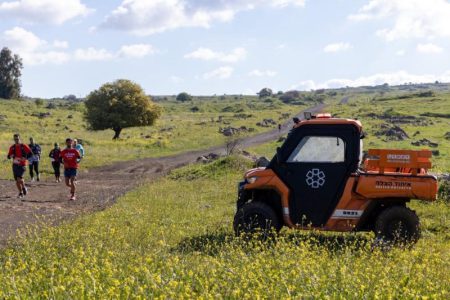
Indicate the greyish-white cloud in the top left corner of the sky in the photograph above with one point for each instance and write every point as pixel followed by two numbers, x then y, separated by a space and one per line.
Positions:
pixel 43 11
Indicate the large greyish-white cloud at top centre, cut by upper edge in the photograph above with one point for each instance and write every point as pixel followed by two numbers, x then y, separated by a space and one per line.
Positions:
pixel 144 17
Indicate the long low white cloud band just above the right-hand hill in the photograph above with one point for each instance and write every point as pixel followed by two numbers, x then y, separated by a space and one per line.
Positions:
pixel 395 78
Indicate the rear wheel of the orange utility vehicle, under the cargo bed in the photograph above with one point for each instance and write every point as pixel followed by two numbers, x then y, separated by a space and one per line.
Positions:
pixel 398 225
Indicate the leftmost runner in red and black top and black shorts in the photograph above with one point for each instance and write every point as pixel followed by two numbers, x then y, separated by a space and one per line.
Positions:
pixel 19 153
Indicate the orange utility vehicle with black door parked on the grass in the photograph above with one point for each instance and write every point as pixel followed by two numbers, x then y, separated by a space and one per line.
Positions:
pixel 317 181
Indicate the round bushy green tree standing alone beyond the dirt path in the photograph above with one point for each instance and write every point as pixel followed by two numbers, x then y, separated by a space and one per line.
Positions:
pixel 118 105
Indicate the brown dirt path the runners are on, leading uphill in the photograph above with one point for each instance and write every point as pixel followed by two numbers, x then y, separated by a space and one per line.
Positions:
pixel 100 187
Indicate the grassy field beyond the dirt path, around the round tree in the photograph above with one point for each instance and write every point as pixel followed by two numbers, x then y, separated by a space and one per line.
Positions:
pixel 178 130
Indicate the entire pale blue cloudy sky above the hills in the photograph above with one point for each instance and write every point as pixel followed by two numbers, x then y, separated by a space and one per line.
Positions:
pixel 225 46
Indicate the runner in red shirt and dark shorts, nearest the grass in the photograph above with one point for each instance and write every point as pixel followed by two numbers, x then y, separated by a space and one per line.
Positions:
pixel 69 157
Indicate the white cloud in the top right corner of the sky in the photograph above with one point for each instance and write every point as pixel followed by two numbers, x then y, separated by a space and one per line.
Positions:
pixel 412 18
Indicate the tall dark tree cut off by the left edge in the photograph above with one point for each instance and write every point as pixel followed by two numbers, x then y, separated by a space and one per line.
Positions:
pixel 10 72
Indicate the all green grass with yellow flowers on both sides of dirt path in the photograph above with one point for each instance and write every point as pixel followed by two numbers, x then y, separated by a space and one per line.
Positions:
pixel 173 238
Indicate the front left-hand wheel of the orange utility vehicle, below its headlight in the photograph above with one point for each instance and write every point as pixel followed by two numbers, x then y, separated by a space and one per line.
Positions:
pixel 256 218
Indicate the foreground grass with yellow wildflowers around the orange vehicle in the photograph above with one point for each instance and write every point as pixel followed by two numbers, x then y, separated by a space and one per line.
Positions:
pixel 173 239
